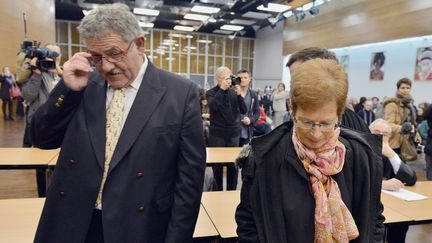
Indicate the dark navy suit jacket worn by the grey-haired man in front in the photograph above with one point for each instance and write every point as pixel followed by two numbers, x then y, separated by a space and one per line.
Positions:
pixel 153 189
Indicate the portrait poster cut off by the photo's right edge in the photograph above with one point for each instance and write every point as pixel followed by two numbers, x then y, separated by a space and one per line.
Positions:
pixel 423 68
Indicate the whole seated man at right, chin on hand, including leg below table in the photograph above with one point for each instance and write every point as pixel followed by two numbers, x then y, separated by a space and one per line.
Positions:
pixel 396 174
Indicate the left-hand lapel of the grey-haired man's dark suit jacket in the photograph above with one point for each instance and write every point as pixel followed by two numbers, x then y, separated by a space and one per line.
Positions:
pixel 95 107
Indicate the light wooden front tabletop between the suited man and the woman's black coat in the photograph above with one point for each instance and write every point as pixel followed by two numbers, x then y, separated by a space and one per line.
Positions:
pixel 221 207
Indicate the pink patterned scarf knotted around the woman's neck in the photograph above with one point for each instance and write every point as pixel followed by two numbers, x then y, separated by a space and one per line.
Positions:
pixel 333 220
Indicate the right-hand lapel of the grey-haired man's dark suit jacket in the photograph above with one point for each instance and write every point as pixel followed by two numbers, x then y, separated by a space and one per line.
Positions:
pixel 147 99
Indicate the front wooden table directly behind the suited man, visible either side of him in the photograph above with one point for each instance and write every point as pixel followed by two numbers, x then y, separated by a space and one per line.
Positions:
pixel 19 219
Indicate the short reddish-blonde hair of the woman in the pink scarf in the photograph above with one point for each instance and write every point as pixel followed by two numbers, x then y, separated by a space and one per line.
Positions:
pixel 318 81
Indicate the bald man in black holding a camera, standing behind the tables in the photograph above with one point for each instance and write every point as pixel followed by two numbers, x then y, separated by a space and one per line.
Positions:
pixel 226 104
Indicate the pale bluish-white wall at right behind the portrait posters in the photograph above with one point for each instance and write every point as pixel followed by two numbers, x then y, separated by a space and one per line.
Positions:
pixel 400 62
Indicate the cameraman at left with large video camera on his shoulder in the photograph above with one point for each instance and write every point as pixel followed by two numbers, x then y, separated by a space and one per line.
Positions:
pixel 45 67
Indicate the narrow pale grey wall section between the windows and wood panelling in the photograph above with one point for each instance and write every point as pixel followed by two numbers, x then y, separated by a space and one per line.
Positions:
pixel 268 56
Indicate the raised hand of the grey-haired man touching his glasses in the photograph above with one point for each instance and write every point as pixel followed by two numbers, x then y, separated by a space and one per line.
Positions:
pixel 76 71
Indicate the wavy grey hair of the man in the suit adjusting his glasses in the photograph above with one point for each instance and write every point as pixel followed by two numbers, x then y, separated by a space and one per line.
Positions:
pixel 110 18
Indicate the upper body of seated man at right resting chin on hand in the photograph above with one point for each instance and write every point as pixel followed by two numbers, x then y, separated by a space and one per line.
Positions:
pixel 395 172
